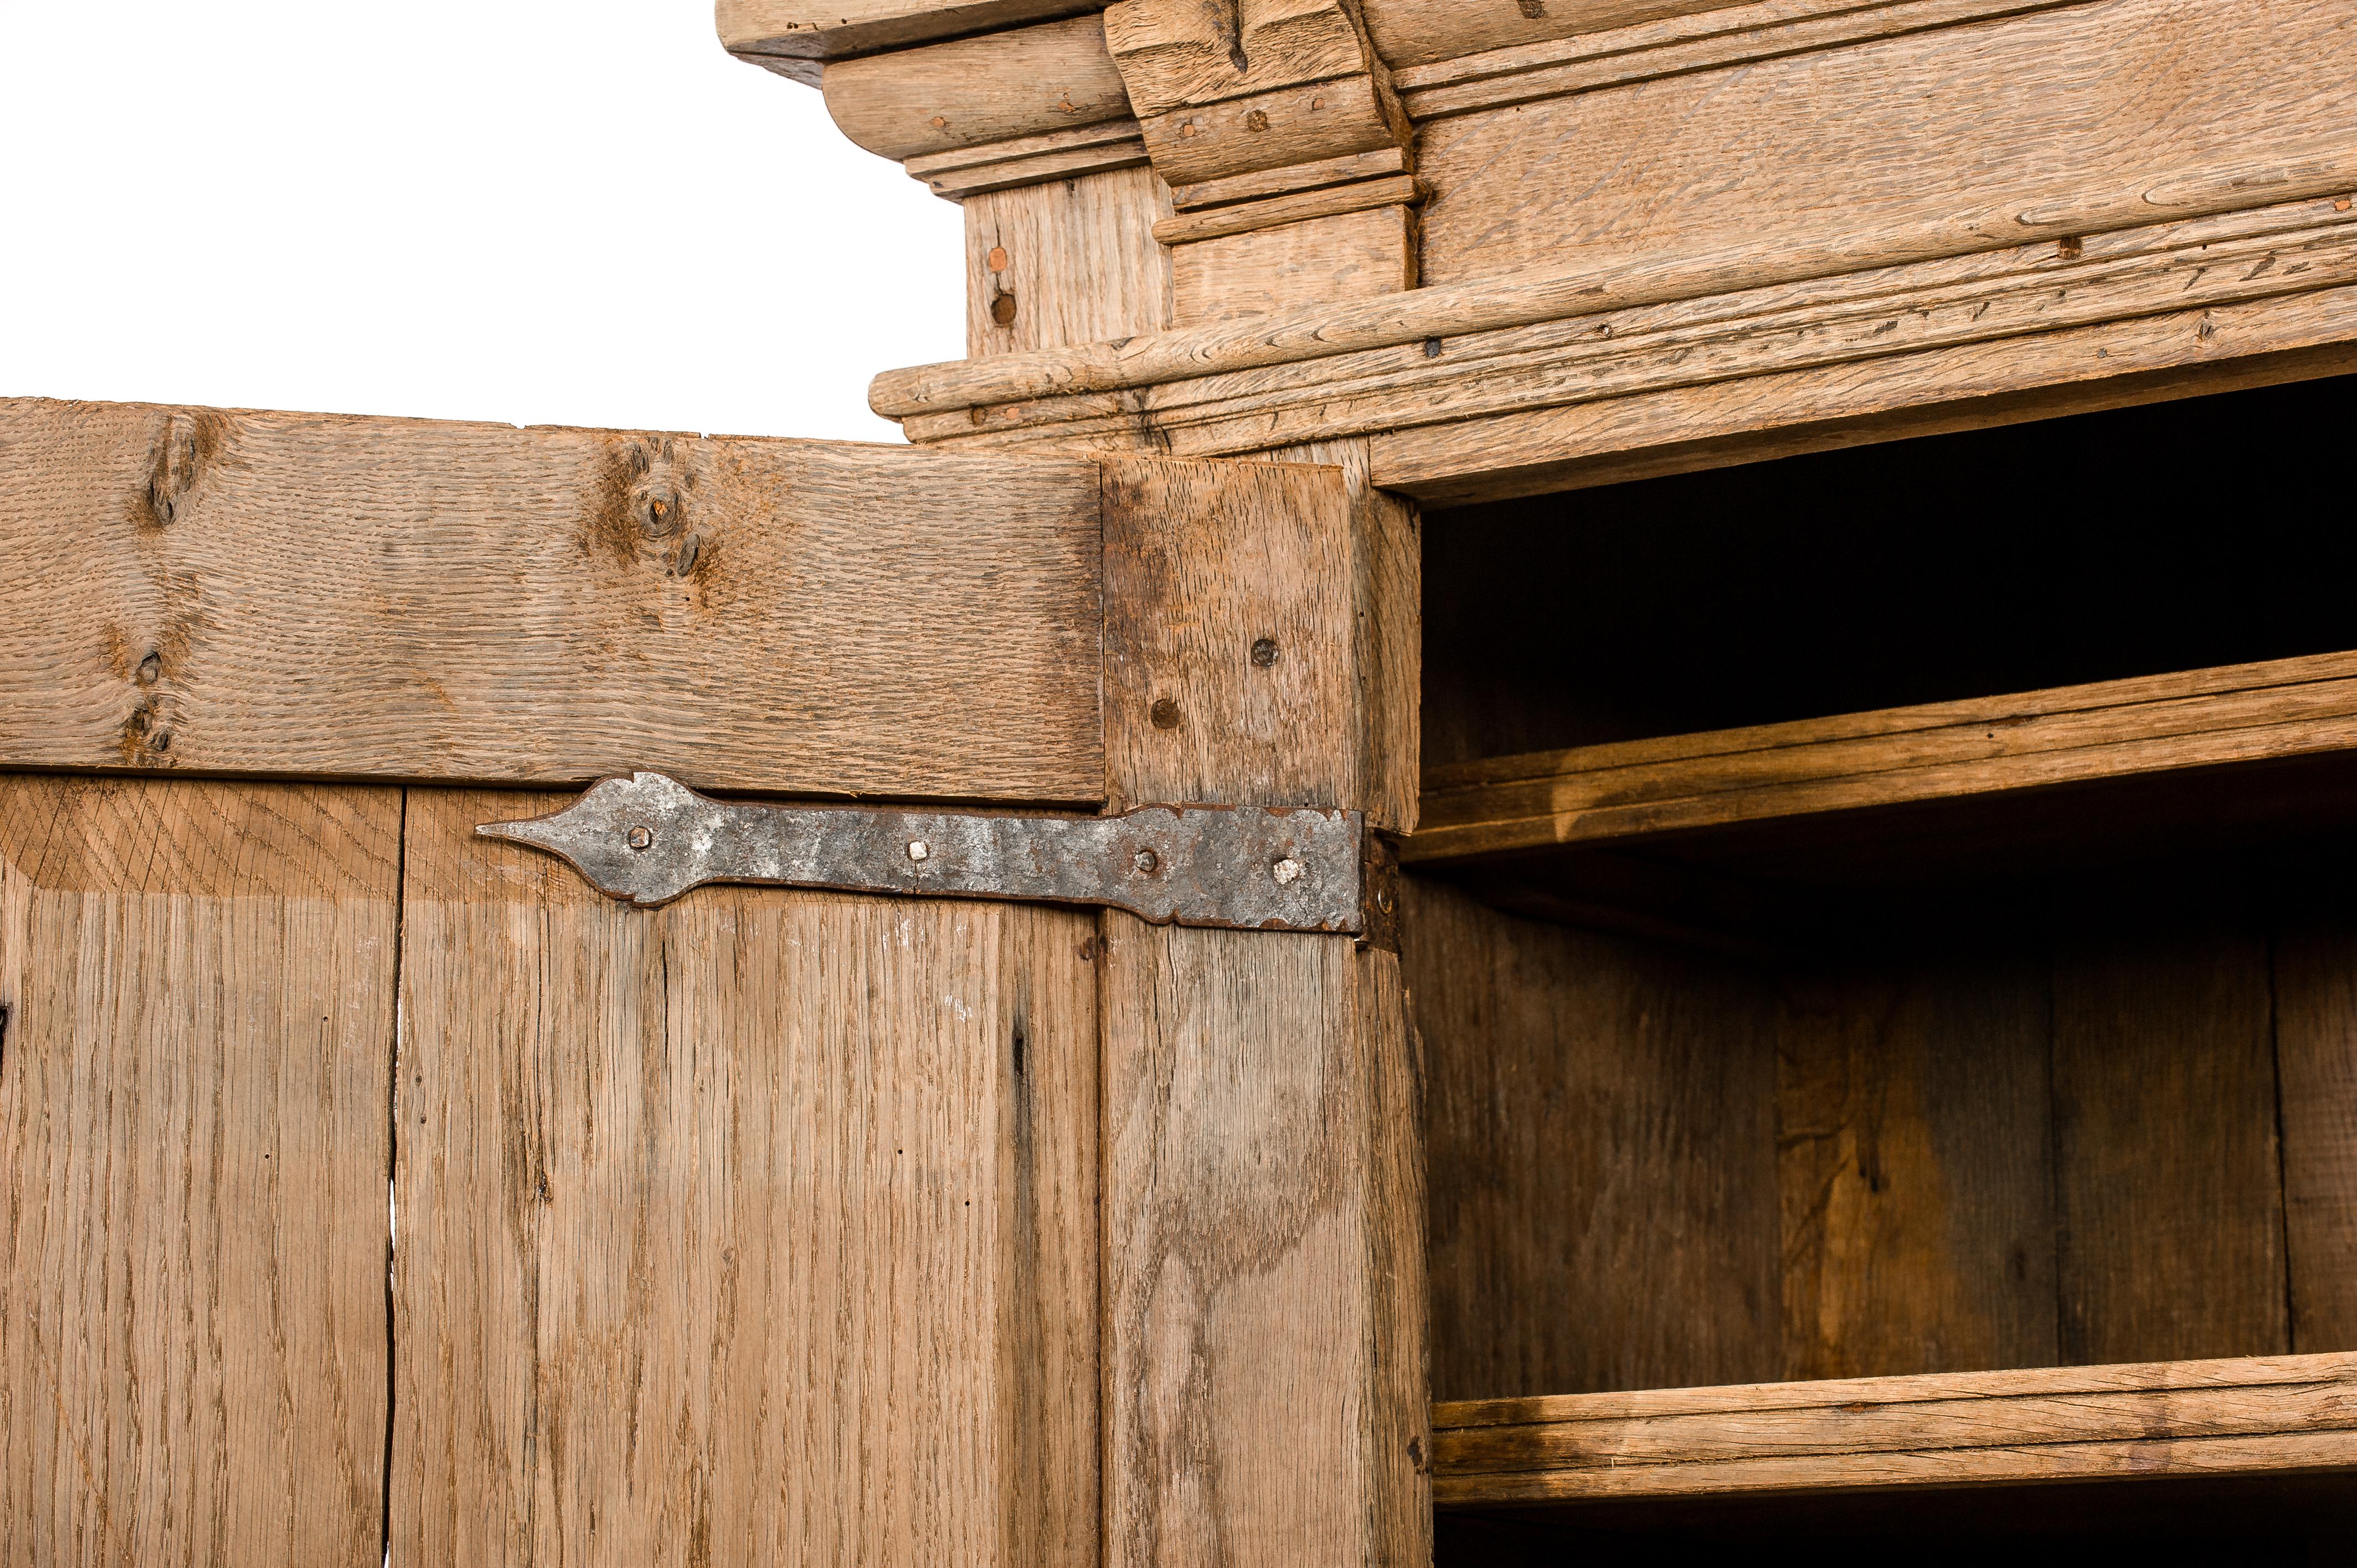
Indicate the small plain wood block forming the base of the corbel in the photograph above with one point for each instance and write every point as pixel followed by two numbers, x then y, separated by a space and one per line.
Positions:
pixel 1274 270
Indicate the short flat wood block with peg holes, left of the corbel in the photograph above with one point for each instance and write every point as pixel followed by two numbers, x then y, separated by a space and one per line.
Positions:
pixel 1064 263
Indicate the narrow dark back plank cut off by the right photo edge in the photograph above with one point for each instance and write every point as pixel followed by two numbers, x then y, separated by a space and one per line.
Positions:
pixel 2316 1055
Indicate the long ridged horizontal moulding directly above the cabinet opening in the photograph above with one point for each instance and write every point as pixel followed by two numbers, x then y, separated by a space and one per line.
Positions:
pixel 1514 376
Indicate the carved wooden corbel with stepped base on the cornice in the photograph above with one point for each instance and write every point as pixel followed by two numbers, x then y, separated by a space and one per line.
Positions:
pixel 1286 150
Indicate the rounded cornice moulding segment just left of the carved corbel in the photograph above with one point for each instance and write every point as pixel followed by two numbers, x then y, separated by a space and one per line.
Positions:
pixel 975 91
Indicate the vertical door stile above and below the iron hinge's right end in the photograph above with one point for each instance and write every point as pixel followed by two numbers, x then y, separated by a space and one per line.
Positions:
pixel 1265 1211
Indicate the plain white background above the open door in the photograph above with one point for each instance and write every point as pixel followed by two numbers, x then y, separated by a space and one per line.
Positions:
pixel 522 211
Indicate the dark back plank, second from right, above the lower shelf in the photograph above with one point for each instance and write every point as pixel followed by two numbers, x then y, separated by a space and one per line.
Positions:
pixel 2167 1173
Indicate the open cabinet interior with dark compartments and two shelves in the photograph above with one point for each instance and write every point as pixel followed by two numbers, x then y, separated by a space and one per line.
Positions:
pixel 1887 914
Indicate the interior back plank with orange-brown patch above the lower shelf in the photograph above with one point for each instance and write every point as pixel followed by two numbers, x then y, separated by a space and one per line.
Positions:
pixel 1917 1171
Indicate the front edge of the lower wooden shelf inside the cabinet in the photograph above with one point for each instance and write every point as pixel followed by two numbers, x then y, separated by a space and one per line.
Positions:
pixel 2181 1418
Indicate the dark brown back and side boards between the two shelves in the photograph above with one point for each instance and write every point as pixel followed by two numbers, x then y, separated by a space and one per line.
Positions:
pixel 2038 1133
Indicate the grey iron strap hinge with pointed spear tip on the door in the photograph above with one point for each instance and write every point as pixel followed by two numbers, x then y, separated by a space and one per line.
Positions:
pixel 652 841
